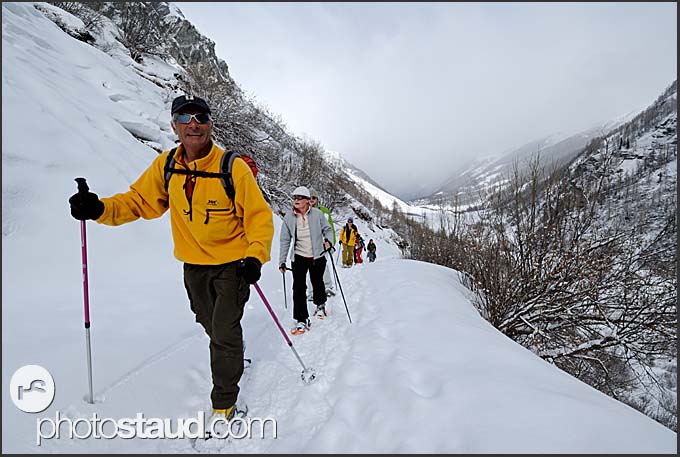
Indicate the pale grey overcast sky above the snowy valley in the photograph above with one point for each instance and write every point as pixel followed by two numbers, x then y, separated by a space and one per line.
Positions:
pixel 387 84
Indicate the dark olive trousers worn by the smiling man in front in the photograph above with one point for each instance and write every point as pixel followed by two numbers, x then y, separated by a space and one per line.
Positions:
pixel 218 296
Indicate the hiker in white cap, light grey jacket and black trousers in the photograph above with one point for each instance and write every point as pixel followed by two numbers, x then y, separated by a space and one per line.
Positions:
pixel 308 231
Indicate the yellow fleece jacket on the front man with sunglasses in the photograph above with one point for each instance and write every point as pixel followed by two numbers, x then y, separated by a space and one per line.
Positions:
pixel 210 234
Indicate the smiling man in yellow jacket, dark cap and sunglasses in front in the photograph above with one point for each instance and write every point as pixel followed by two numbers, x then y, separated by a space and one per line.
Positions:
pixel 223 243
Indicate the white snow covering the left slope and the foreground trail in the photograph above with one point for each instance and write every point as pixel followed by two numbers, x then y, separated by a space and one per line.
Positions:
pixel 418 370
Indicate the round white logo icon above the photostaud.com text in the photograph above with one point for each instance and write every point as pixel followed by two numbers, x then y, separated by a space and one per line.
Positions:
pixel 32 388
